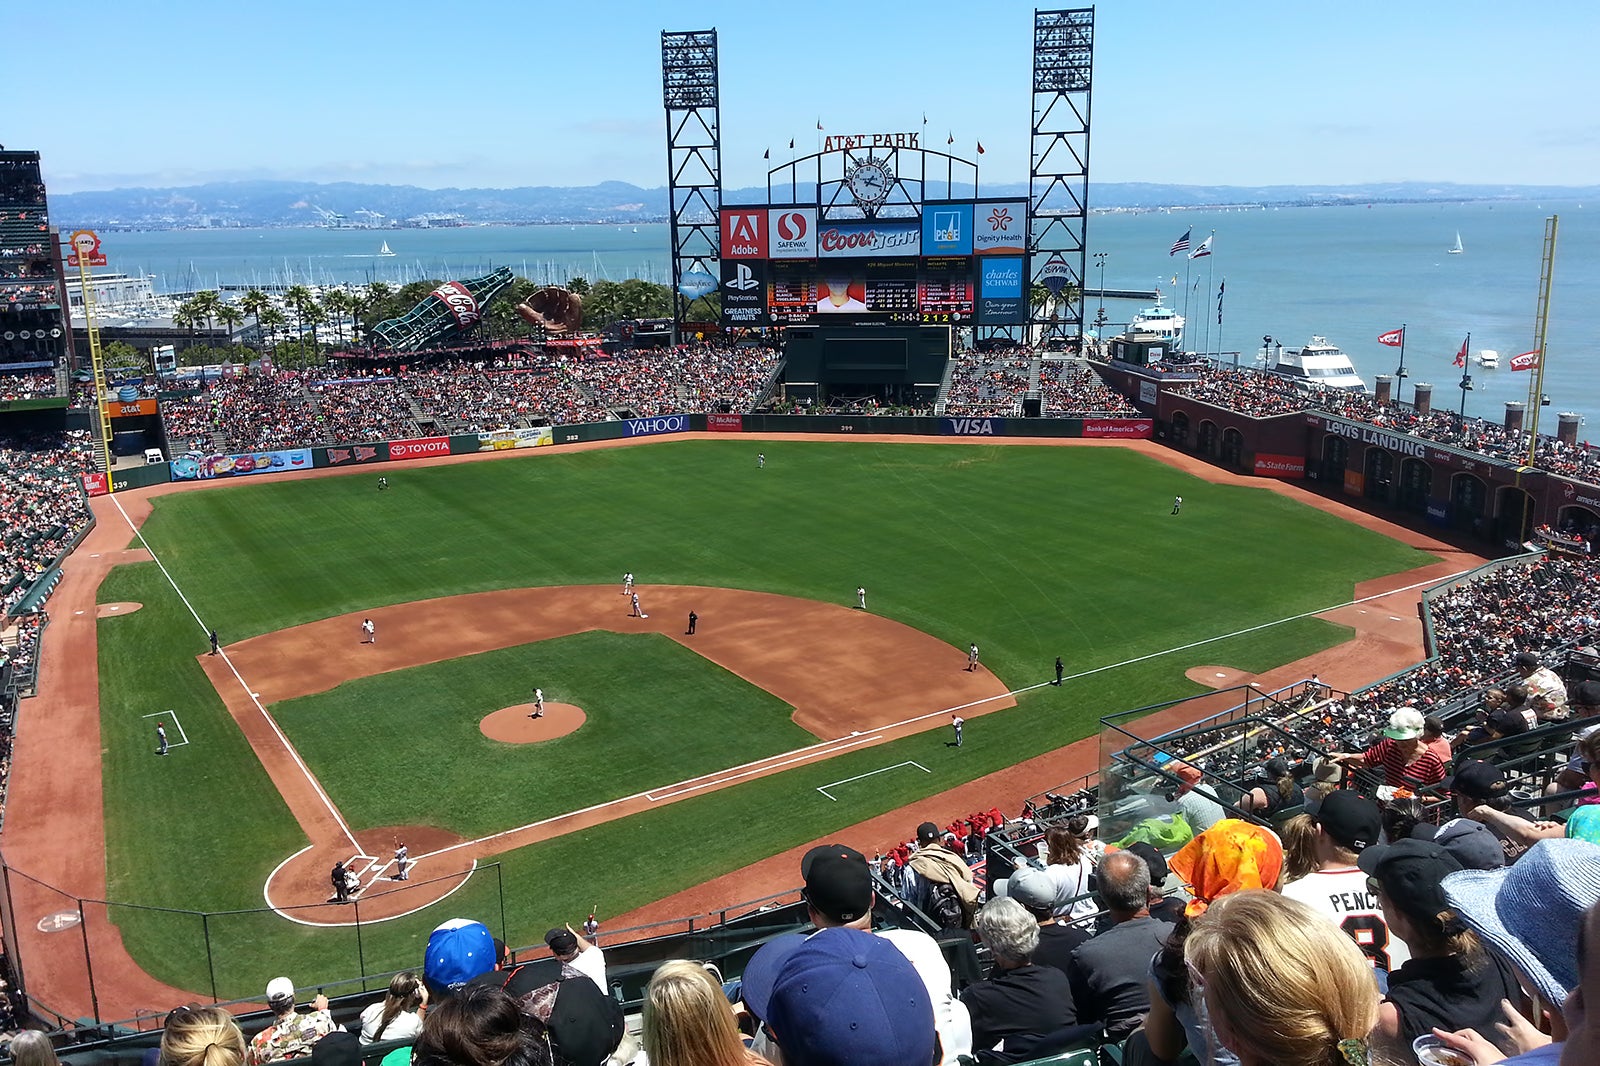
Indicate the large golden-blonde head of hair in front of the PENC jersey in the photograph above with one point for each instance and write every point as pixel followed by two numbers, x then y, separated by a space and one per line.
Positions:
pixel 1282 984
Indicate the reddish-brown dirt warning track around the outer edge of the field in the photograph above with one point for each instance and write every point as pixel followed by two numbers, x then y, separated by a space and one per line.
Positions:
pixel 55 793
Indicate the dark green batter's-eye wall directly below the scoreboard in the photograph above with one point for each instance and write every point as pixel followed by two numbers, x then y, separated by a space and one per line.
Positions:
pixel 892 364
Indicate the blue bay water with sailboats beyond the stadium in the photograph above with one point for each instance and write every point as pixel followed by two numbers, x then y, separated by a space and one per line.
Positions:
pixel 1343 273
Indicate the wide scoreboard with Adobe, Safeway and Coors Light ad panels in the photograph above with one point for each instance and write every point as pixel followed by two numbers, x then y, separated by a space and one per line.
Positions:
pixel 962 263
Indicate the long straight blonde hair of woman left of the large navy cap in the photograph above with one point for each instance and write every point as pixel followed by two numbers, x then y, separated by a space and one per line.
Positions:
pixel 687 1020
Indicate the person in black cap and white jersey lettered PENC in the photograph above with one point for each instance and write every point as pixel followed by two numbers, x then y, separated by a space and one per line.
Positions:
pixel 1346 827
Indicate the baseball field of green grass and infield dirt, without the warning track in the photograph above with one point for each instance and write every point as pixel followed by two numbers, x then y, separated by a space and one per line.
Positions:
pixel 666 759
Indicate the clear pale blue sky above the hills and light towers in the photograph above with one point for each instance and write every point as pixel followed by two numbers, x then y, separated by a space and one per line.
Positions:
pixel 436 95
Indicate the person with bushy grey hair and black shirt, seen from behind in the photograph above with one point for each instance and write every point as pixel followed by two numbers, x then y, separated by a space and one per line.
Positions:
pixel 1022 1004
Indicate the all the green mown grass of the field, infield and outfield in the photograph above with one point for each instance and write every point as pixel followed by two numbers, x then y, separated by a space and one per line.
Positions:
pixel 1034 553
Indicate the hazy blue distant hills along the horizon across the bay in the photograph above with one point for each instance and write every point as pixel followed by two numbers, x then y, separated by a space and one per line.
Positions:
pixel 270 204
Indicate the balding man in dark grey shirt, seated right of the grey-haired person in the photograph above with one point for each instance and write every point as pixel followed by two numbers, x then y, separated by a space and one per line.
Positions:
pixel 1110 971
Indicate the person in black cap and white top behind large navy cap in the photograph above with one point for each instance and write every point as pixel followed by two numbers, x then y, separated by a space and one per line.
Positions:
pixel 839 894
